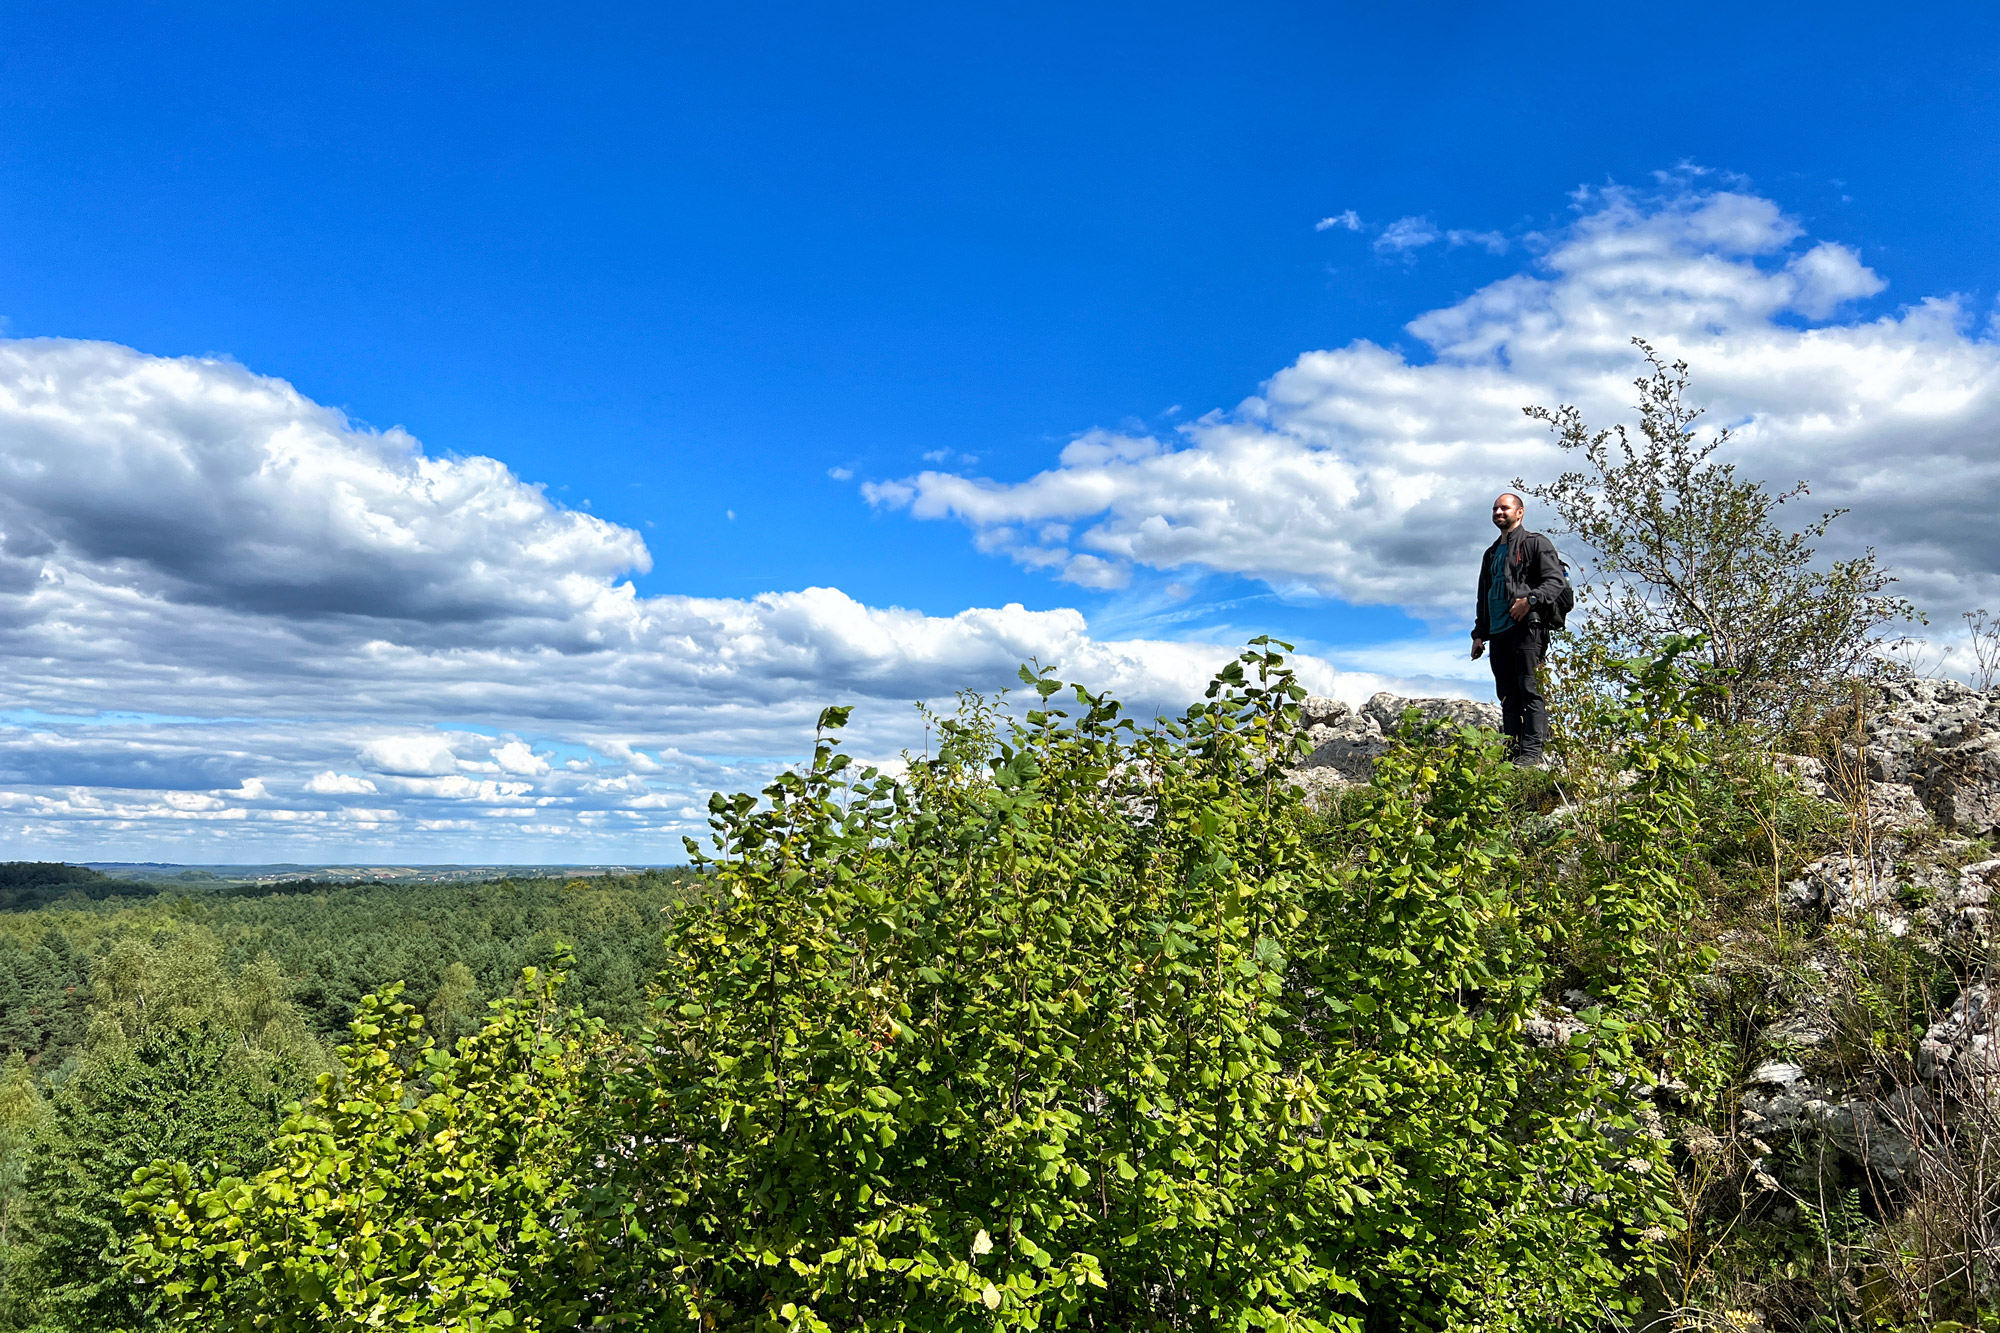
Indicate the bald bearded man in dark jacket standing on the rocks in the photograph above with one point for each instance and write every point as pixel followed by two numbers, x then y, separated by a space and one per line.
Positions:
pixel 1521 579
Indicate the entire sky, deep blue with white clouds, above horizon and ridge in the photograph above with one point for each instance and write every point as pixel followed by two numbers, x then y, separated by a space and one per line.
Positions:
pixel 737 279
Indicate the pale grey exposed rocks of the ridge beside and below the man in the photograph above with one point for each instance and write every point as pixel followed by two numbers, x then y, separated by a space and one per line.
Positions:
pixel 1925 768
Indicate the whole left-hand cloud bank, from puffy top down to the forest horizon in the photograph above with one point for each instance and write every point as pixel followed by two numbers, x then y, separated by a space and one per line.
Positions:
pixel 229 619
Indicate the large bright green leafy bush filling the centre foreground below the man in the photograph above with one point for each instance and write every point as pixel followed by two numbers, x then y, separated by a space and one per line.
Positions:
pixel 1087 1022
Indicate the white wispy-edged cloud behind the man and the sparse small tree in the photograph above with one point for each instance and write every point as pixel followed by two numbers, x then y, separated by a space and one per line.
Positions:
pixel 1365 471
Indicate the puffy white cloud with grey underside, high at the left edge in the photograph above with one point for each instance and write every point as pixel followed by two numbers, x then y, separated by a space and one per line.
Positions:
pixel 199 481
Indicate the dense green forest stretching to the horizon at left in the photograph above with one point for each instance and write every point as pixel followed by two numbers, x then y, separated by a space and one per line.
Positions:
pixel 145 1024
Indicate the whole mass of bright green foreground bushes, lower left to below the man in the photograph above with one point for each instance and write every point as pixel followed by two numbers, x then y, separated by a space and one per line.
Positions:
pixel 1079 1022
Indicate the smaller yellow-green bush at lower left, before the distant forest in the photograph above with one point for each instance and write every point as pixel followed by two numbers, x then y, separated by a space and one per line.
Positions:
pixel 421 1188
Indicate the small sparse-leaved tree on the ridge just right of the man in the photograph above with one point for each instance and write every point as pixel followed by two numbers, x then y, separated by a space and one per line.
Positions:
pixel 1683 545
